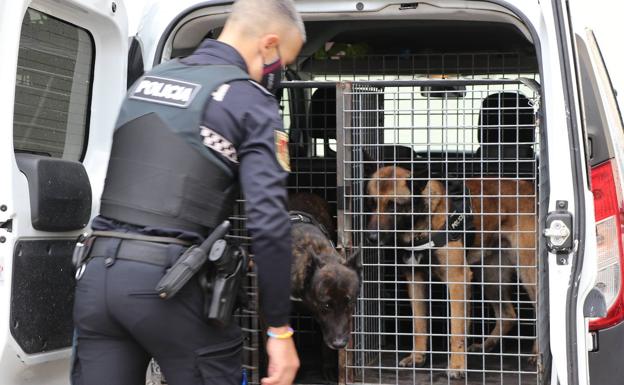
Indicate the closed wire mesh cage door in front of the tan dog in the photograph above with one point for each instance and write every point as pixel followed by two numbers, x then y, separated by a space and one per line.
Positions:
pixel 441 304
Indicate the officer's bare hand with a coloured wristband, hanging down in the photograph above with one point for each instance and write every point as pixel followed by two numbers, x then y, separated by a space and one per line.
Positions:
pixel 283 360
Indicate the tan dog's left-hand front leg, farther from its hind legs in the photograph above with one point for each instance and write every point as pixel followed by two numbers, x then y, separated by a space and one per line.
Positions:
pixel 416 290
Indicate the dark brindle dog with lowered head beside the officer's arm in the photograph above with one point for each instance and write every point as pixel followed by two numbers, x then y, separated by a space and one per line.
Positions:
pixel 327 283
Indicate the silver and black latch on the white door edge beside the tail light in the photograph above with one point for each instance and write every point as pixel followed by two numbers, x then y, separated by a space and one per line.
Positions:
pixel 558 232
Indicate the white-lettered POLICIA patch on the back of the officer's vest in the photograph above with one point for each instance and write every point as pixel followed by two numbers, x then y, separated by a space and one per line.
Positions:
pixel 170 92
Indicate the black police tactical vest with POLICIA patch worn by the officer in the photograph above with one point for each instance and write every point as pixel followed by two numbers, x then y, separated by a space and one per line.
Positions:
pixel 160 173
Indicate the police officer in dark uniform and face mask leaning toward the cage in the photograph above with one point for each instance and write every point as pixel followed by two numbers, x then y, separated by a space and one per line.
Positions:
pixel 189 133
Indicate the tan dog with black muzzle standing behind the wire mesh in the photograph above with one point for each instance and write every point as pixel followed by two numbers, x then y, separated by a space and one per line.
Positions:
pixel 503 215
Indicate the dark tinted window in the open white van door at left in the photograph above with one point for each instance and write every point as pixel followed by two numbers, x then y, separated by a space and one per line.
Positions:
pixel 53 87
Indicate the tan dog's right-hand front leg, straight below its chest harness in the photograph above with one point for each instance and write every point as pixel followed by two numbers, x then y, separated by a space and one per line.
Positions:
pixel 457 276
